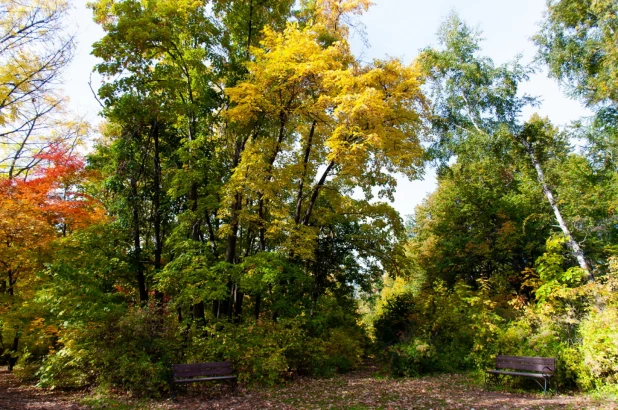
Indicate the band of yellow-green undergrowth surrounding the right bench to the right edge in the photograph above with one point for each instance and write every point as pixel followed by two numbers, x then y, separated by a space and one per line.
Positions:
pixel 436 329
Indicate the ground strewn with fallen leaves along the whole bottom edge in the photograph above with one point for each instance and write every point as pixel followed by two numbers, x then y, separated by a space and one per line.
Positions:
pixel 354 391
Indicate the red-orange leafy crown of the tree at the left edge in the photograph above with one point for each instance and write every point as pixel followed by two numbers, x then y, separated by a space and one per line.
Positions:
pixel 39 208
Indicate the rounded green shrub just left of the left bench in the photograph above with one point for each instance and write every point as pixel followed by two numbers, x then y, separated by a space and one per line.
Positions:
pixel 132 352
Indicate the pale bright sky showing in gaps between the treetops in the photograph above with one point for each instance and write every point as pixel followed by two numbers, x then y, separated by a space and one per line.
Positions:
pixel 394 28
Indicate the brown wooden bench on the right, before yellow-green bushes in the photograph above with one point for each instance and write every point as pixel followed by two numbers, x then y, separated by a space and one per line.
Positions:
pixel 538 368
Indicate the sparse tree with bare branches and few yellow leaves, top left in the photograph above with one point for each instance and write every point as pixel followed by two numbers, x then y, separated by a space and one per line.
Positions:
pixel 34 50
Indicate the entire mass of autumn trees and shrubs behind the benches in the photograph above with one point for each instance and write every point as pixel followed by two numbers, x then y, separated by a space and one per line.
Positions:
pixel 236 203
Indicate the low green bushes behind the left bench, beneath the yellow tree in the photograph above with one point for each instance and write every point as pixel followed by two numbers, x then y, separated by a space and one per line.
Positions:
pixel 268 352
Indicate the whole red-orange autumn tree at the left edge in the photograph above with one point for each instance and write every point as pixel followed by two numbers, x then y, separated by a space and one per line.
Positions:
pixel 34 212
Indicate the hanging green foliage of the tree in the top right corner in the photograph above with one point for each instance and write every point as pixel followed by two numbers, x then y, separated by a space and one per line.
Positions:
pixel 578 43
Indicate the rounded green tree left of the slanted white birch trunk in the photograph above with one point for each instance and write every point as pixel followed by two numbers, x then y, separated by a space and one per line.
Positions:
pixel 486 221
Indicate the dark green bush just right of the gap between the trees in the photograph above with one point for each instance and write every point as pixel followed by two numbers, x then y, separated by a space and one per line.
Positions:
pixel 438 330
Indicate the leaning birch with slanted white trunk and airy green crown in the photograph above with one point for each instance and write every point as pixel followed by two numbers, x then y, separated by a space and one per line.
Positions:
pixel 477 104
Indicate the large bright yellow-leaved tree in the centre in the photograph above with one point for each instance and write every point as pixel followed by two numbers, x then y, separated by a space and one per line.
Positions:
pixel 319 126
